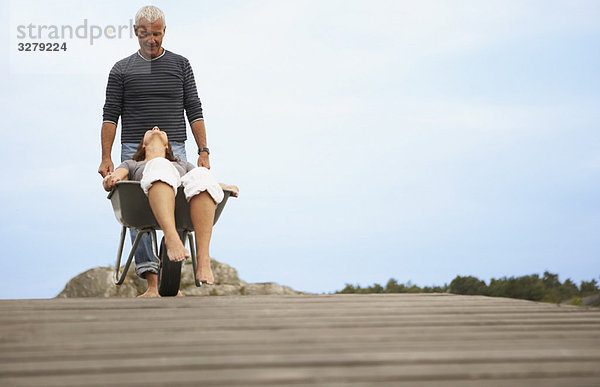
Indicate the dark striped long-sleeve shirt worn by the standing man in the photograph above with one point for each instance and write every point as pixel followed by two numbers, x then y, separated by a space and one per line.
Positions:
pixel 147 93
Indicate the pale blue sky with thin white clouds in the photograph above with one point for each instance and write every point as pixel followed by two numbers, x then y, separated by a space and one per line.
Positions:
pixel 413 140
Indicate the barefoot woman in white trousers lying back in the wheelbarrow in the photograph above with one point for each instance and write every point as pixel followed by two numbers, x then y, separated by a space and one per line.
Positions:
pixel 160 174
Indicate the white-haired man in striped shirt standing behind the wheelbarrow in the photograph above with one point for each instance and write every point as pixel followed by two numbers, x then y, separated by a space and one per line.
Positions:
pixel 151 88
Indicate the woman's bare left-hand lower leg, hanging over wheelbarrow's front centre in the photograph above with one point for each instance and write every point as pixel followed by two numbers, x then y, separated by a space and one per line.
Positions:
pixel 162 201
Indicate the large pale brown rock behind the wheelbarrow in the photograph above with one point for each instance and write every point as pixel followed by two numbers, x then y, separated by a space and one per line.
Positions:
pixel 98 282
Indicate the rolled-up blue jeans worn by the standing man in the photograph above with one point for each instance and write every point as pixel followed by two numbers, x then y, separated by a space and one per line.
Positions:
pixel 144 258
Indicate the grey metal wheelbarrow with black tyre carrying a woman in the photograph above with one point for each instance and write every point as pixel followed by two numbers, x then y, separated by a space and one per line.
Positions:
pixel 132 210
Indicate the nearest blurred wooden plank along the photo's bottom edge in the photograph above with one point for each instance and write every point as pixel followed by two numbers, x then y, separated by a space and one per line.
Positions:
pixel 320 375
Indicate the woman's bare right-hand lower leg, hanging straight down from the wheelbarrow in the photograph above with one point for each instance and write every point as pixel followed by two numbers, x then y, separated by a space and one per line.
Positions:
pixel 202 209
